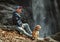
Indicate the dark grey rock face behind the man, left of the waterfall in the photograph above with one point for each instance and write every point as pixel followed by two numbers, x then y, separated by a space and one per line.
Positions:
pixel 7 8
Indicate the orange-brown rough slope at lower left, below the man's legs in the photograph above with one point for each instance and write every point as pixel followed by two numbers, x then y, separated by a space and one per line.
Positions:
pixel 12 36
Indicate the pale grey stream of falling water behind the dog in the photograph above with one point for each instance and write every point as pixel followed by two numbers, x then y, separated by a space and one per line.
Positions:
pixel 39 13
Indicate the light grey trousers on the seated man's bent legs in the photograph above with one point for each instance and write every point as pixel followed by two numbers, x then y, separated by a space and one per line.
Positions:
pixel 25 29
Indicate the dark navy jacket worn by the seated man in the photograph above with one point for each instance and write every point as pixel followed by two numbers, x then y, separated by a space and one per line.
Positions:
pixel 17 19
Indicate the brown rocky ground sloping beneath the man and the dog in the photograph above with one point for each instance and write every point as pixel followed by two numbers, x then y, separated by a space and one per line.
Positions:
pixel 14 36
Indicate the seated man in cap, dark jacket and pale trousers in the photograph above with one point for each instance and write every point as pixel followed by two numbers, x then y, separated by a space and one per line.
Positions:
pixel 21 27
